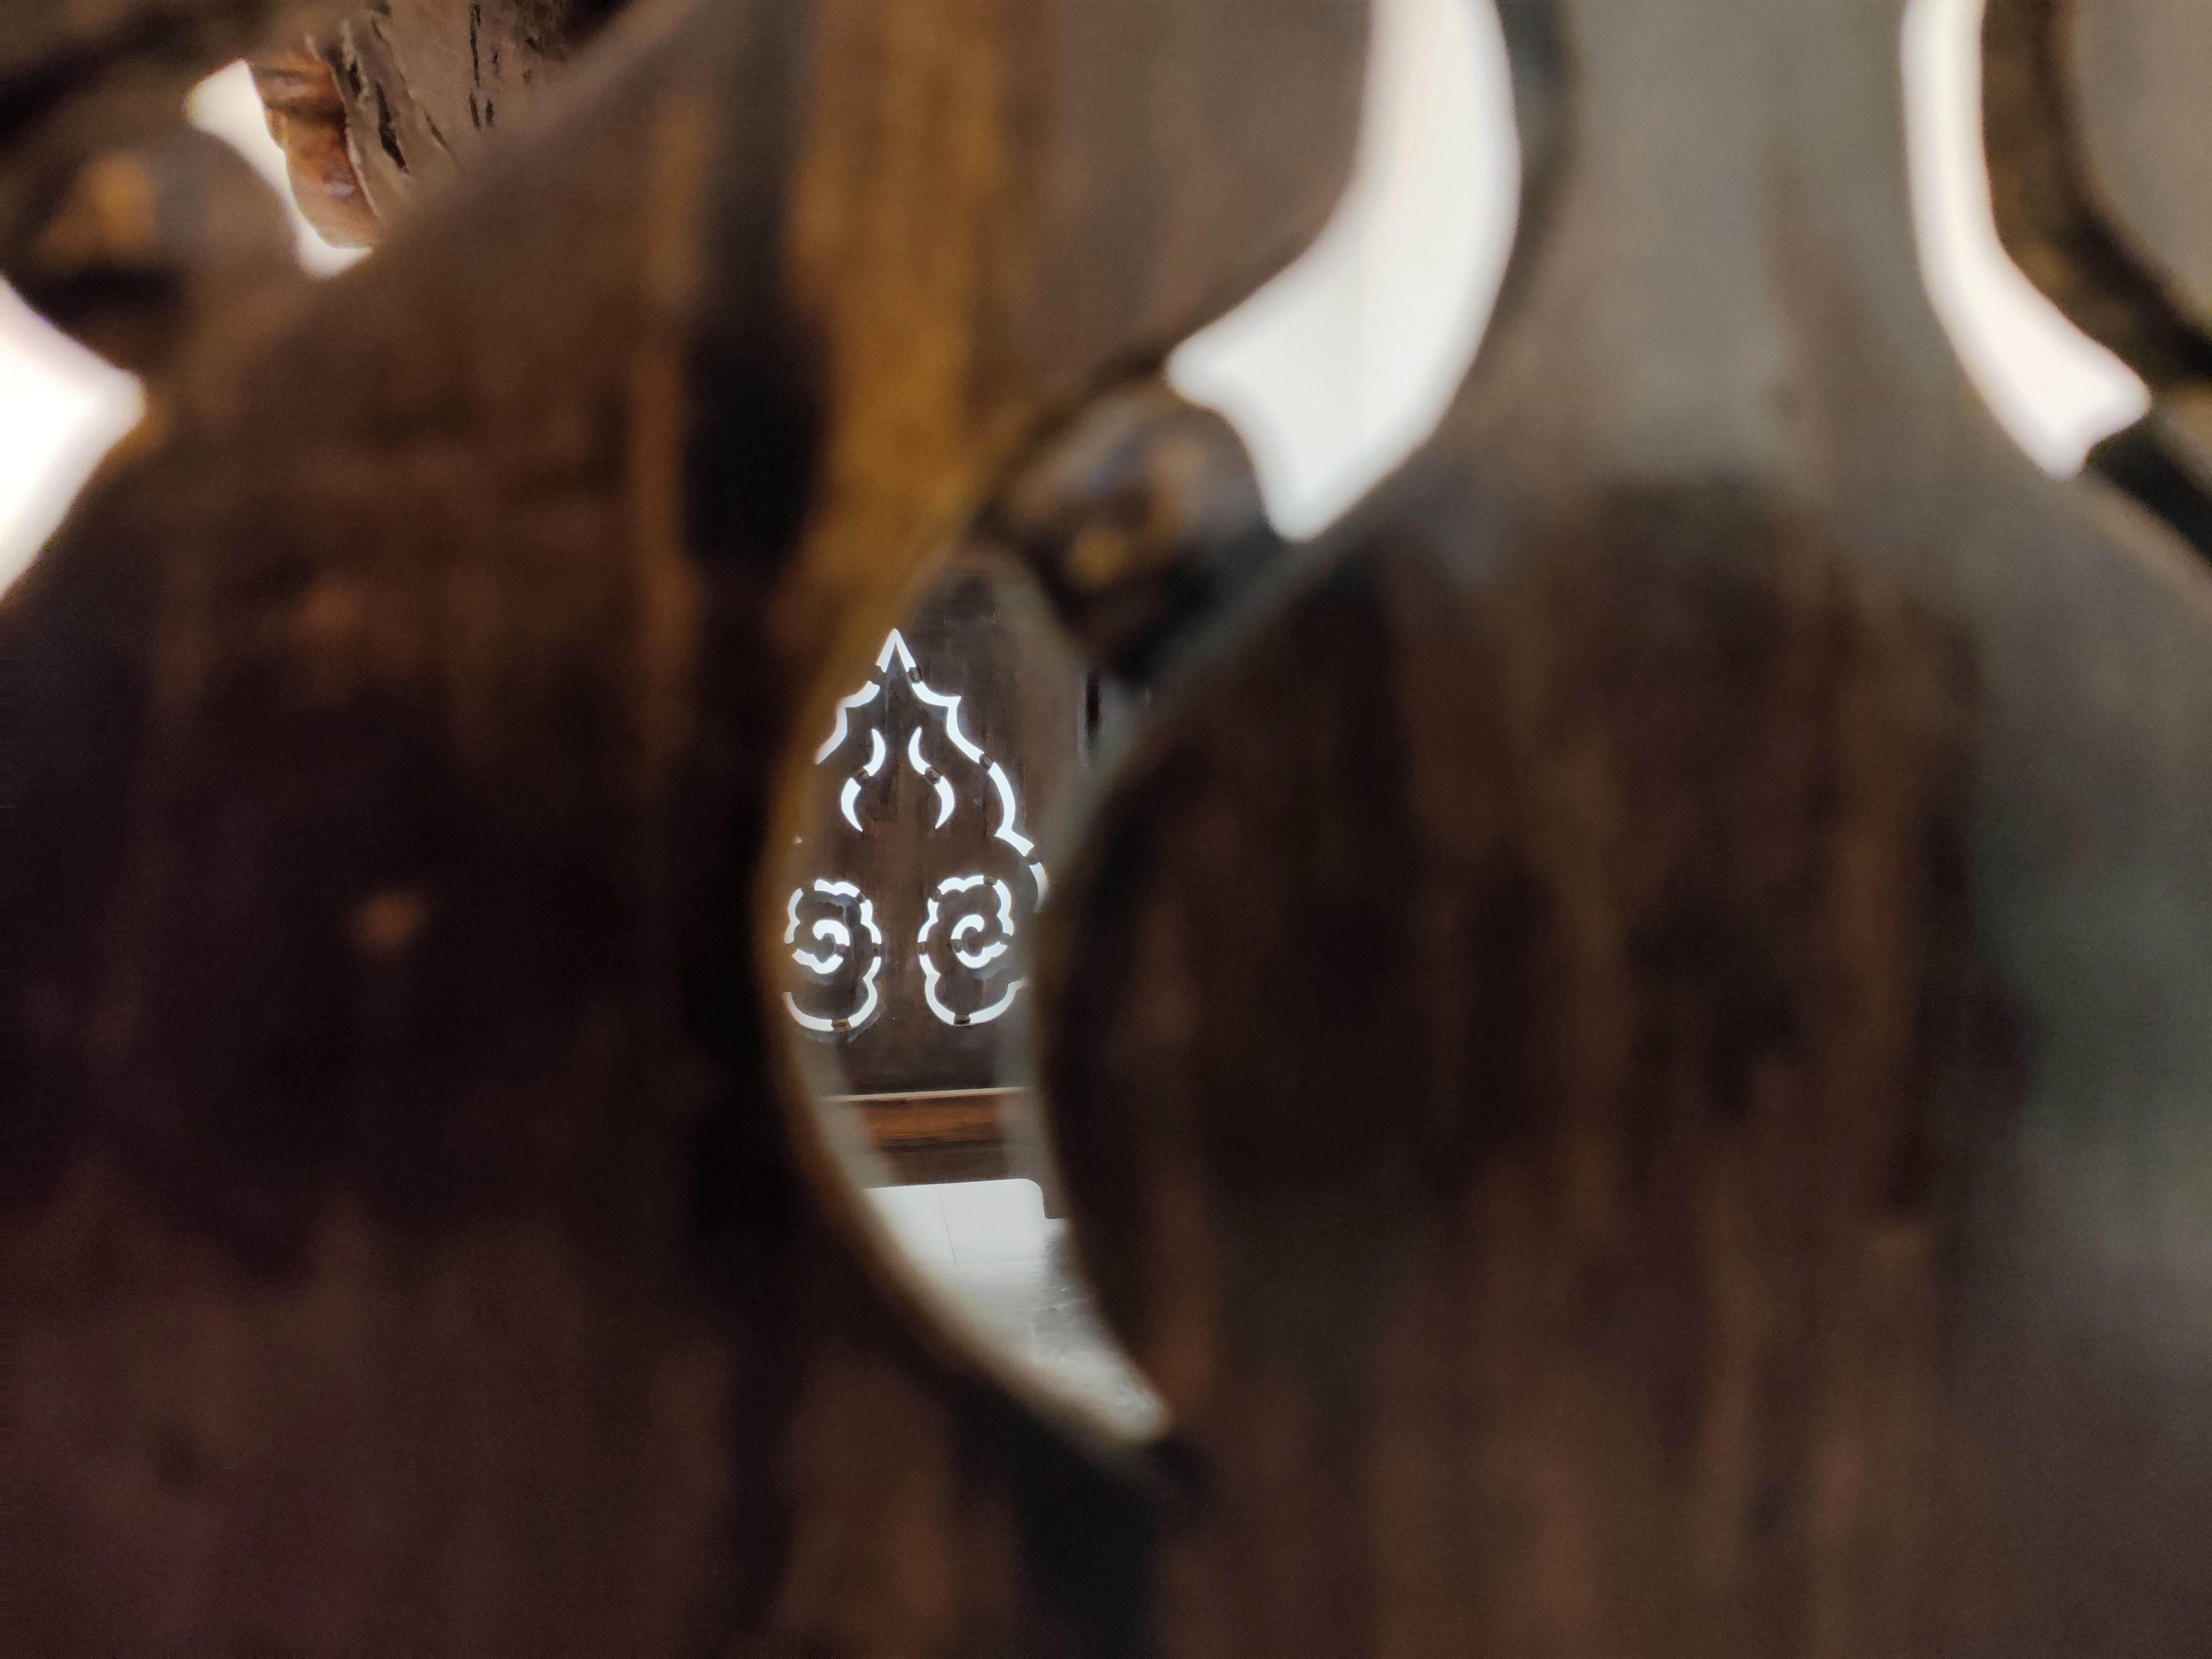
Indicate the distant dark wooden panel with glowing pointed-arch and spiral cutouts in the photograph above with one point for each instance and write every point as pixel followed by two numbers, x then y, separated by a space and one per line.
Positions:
pixel 919 877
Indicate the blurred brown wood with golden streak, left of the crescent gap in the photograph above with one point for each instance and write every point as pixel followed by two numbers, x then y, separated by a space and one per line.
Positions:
pixel 404 1246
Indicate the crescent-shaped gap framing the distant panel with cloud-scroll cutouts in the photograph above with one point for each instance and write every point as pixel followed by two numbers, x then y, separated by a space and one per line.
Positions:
pixel 908 897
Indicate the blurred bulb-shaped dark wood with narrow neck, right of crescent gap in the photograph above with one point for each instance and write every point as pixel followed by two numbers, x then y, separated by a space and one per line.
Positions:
pixel 1631 1054
